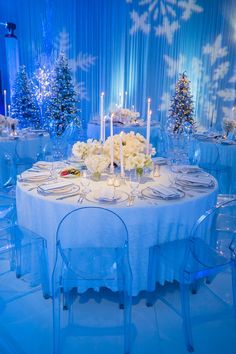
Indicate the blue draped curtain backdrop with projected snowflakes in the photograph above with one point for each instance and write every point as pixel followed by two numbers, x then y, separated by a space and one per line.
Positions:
pixel 133 46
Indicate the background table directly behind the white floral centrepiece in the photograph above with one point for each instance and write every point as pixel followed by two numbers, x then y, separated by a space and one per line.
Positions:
pixel 93 130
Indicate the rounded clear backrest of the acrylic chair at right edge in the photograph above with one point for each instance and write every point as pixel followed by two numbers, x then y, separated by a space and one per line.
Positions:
pixel 216 231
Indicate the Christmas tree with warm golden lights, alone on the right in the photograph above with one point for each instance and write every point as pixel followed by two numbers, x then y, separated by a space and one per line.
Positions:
pixel 181 111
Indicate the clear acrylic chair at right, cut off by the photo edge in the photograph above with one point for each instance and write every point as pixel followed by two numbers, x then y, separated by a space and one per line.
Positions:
pixel 210 249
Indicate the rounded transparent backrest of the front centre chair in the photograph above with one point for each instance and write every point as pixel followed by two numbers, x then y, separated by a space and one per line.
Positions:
pixel 90 231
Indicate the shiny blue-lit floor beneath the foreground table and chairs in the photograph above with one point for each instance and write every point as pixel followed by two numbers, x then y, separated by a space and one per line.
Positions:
pixel 26 321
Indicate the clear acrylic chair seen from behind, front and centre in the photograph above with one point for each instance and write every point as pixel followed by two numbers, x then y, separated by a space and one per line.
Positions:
pixel 92 252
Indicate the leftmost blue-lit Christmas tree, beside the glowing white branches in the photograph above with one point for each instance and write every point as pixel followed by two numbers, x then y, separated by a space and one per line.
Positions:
pixel 24 106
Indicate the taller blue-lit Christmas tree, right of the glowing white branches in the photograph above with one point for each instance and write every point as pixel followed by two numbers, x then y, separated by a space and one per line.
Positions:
pixel 61 106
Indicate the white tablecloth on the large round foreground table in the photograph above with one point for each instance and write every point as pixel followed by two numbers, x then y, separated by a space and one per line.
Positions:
pixel 149 221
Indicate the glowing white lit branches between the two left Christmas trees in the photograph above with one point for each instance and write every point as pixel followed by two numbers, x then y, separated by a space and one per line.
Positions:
pixel 41 88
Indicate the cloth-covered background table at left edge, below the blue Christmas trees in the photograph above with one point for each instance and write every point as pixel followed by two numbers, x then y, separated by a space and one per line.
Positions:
pixel 26 145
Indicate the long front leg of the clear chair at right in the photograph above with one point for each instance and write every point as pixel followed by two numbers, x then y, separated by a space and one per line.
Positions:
pixel 185 304
